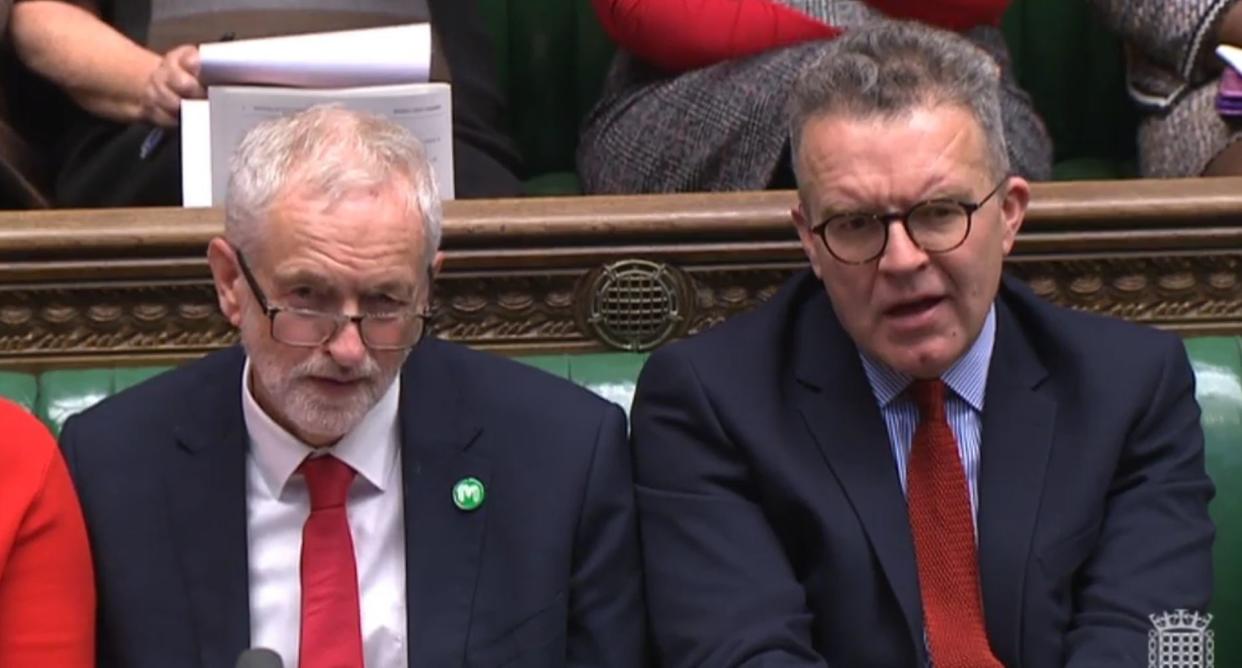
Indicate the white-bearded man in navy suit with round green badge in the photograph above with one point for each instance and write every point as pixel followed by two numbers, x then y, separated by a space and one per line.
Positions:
pixel 342 489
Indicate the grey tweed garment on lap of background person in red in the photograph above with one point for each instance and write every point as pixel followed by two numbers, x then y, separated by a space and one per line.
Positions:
pixel 723 127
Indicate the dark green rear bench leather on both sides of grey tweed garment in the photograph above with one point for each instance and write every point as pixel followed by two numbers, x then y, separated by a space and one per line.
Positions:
pixel 553 56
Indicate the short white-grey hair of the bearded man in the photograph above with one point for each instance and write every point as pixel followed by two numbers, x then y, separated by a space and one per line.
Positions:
pixel 335 152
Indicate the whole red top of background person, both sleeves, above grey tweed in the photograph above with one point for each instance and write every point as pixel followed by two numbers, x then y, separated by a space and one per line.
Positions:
pixel 680 35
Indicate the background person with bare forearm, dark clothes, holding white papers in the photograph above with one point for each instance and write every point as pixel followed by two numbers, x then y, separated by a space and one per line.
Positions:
pixel 129 65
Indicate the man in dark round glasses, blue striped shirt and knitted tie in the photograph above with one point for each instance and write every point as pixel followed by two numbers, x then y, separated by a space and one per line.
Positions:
pixel 905 459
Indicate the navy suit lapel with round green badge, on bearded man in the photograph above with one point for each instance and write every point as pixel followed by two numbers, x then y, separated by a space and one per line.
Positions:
pixel 443 543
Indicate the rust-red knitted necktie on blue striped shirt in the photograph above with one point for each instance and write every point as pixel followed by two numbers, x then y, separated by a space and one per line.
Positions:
pixel 945 539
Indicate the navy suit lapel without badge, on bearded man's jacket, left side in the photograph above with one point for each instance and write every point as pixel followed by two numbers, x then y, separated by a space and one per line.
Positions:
pixel 206 476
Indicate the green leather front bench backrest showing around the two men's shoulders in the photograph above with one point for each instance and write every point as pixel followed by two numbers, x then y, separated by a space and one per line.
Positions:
pixel 1218 362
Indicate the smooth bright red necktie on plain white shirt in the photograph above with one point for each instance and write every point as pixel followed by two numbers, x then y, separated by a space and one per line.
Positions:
pixel 332 635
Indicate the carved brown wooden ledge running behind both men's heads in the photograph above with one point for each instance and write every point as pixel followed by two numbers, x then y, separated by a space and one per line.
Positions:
pixel 132 285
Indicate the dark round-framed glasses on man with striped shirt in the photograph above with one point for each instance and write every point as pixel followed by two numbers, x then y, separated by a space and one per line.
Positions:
pixel 936 227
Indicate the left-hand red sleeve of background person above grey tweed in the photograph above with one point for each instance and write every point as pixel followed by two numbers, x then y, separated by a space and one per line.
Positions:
pixel 680 35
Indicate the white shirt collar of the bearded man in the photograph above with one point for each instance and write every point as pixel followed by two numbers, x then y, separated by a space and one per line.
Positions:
pixel 371 448
